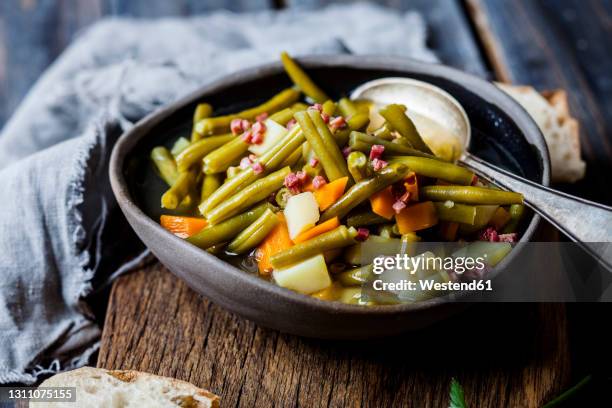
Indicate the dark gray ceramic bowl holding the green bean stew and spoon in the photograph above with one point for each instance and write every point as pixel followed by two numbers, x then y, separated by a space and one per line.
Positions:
pixel 503 133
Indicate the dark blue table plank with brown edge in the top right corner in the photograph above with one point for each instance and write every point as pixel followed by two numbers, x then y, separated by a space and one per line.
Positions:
pixel 559 44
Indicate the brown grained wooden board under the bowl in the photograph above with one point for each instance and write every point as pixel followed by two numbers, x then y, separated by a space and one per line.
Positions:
pixel 503 354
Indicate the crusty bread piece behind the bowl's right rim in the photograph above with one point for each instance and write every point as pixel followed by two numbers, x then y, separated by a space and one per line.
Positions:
pixel 550 110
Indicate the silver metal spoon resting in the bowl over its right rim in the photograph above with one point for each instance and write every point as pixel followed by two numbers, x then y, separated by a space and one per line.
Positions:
pixel 581 220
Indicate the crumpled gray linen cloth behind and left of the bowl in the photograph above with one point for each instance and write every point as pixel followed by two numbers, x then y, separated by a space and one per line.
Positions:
pixel 59 223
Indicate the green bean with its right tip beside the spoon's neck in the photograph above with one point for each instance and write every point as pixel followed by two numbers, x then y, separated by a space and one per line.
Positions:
pixel 436 169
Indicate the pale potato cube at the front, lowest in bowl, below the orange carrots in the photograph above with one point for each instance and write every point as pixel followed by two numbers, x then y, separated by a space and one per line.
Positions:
pixel 306 277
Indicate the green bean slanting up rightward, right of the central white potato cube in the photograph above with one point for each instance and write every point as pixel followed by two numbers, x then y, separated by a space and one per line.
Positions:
pixel 364 189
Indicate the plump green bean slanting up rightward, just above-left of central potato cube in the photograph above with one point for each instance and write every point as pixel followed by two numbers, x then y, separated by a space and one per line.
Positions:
pixel 254 192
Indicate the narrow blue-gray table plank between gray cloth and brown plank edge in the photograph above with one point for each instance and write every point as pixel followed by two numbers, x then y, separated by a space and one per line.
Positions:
pixel 449 33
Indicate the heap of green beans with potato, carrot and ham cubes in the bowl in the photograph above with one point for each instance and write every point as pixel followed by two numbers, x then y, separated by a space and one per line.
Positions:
pixel 393 180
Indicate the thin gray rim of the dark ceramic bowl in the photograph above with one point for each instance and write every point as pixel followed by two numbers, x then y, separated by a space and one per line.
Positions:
pixel 486 90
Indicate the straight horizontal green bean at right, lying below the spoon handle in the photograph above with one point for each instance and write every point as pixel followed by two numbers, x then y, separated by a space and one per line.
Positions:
pixel 470 195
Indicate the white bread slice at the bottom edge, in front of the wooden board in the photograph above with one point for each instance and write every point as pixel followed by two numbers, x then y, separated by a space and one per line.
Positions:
pixel 99 388
